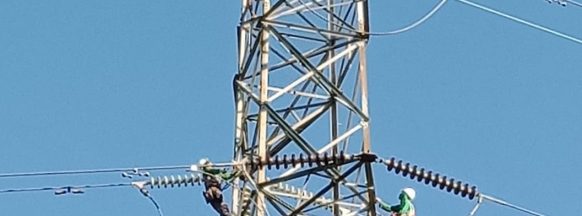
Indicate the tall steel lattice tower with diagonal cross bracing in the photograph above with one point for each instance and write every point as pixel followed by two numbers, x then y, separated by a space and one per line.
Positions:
pixel 301 98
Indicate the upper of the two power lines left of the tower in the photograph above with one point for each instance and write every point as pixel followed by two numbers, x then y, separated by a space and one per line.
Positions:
pixel 91 171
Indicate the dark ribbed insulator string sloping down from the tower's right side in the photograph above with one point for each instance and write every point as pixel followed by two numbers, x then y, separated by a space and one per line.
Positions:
pixel 431 178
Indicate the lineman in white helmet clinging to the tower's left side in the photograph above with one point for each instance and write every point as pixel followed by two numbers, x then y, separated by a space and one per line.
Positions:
pixel 213 179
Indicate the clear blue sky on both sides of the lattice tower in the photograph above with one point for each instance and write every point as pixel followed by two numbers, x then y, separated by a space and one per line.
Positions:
pixel 99 84
